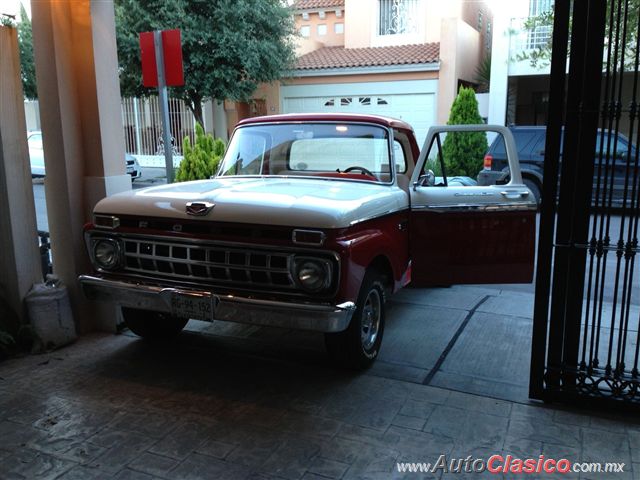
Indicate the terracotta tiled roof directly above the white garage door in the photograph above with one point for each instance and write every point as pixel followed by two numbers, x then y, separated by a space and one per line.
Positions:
pixel 340 57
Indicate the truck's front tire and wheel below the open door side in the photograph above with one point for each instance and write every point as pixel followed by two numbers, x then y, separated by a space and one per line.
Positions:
pixel 358 346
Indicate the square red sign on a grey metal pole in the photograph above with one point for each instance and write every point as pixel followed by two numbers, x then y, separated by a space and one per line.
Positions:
pixel 172 49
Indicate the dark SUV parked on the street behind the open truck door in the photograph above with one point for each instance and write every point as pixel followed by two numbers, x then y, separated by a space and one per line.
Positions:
pixel 530 142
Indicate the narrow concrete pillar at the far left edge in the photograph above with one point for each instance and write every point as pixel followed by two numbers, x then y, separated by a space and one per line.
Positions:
pixel 20 261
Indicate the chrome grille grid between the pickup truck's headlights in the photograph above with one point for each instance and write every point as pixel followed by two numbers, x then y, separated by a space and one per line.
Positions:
pixel 210 263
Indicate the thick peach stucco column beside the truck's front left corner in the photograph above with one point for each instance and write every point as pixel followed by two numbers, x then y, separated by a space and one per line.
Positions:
pixel 79 94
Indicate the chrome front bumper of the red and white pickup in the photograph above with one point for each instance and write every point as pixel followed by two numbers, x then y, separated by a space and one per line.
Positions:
pixel 230 308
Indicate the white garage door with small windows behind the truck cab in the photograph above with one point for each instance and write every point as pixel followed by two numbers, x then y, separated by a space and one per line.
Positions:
pixel 402 100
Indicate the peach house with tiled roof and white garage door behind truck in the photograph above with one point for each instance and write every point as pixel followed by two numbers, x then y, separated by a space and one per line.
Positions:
pixel 401 58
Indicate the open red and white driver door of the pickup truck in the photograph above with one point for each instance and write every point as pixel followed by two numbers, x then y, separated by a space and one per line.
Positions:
pixel 462 233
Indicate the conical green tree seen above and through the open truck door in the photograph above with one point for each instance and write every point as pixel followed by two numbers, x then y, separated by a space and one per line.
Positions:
pixel 464 151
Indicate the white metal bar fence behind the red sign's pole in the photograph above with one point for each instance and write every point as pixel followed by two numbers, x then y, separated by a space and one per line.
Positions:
pixel 141 118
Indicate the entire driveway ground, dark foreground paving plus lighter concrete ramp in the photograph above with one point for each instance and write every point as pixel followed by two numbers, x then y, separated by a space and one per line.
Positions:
pixel 235 402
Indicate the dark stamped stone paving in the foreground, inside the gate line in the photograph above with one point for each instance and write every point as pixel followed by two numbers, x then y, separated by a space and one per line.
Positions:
pixel 113 406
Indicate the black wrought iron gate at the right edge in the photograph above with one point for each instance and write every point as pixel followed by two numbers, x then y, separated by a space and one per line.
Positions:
pixel 587 311
